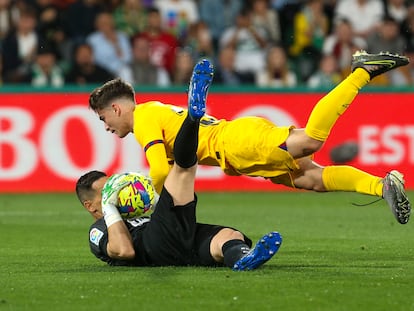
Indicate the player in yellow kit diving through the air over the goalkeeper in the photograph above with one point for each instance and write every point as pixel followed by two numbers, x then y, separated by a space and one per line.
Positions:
pixel 254 146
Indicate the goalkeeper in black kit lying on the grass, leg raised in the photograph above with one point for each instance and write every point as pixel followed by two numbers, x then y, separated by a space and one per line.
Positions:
pixel 171 236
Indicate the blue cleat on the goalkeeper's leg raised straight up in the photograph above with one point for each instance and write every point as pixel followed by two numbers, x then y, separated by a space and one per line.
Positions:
pixel 197 94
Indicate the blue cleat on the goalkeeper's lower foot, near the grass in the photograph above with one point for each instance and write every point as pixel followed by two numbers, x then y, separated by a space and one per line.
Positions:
pixel 265 248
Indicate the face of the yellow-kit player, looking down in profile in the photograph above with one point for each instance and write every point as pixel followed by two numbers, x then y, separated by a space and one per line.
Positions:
pixel 114 119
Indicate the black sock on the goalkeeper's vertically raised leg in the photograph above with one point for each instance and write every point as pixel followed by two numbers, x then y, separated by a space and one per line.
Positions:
pixel 186 143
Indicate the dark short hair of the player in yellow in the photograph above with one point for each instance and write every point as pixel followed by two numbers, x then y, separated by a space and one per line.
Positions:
pixel 114 89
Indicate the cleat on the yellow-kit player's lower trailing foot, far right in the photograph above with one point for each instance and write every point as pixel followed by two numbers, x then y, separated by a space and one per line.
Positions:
pixel 394 193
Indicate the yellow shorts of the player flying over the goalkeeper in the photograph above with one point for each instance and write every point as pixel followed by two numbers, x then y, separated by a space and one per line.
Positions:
pixel 252 147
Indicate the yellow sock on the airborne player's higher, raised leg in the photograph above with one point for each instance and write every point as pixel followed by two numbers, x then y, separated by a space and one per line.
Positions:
pixel 331 106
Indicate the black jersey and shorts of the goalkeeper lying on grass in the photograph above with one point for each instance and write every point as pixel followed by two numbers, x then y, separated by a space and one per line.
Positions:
pixel 171 238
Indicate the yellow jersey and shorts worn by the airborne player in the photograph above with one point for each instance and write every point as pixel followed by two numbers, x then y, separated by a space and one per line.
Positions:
pixel 244 146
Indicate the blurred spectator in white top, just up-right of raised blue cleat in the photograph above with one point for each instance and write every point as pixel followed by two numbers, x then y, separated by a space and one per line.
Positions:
pixel 249 43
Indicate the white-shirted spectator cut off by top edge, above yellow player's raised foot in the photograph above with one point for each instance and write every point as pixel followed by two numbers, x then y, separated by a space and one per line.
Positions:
pixel 364 15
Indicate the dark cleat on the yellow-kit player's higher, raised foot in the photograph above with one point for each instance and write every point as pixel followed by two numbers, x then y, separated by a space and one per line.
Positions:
pixel 376 64
